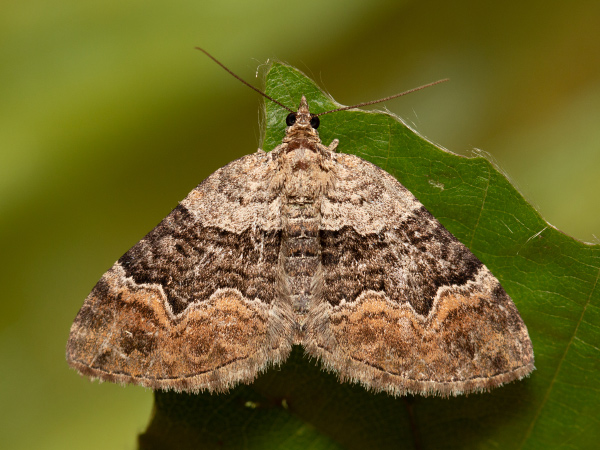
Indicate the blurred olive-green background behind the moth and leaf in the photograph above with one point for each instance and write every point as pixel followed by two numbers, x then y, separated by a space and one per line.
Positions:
pixel 109 117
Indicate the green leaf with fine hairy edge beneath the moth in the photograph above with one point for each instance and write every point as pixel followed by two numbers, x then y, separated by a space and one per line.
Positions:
pixel 552 278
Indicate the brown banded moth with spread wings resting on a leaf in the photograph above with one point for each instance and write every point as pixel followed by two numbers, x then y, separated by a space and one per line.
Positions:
pixel 301 246
